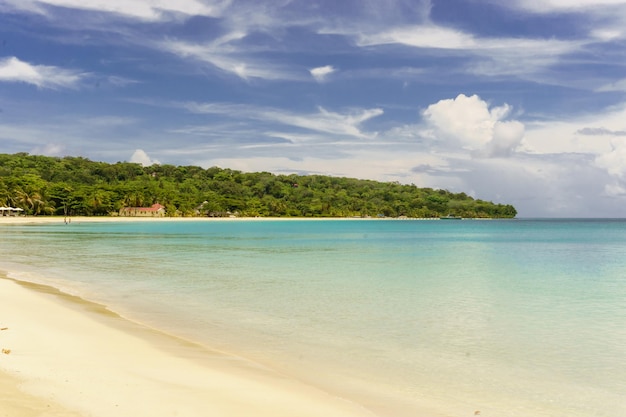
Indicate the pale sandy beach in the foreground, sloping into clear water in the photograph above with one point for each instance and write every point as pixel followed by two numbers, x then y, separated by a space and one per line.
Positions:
pixel 70 357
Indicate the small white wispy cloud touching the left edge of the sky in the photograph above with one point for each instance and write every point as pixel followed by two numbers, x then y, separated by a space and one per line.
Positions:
pixel 43 76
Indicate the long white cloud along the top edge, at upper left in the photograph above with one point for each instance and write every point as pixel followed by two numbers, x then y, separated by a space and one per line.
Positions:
pixel 152 10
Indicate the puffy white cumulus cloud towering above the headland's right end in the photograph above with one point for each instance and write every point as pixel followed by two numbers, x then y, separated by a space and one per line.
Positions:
pixel 470 123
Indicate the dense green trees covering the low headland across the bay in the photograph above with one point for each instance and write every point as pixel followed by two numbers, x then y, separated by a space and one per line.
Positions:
pixel 77 186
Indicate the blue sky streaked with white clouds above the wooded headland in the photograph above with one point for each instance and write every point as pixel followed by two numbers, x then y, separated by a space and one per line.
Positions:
pixel 518 102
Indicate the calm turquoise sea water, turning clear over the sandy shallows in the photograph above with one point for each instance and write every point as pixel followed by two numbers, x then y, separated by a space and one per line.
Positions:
pixel 512 318
